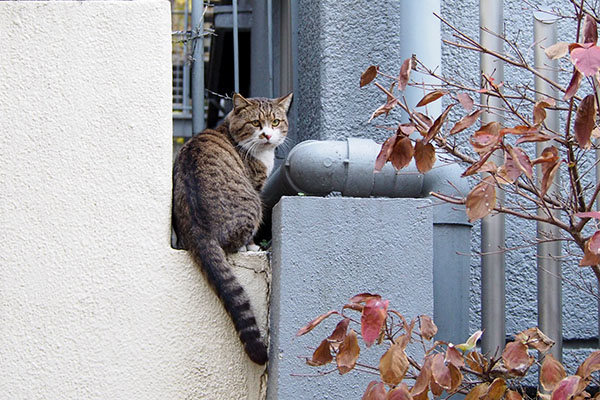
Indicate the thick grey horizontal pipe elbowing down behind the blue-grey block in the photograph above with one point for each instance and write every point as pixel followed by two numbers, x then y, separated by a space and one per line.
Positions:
pixel 321 167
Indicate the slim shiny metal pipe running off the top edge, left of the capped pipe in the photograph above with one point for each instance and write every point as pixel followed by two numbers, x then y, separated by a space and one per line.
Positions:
pixel 492 226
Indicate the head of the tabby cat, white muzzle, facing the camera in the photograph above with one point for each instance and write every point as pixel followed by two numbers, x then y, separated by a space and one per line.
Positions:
pixel 258 123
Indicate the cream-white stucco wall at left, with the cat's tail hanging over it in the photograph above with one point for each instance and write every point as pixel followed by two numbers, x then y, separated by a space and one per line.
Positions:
pixel 94 304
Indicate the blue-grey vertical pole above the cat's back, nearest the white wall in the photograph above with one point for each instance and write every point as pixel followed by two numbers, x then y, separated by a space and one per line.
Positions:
pixel 198 67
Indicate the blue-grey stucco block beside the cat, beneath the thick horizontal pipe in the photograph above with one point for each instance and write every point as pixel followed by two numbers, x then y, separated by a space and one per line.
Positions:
pixel 324 252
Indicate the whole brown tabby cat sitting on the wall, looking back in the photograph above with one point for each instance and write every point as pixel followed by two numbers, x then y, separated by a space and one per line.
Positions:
pixel 217 179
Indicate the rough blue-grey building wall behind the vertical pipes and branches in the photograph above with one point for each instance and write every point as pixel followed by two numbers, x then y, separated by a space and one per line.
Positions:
pixel 337 40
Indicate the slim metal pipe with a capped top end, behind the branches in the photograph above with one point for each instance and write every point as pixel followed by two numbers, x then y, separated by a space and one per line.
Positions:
pixel 549 295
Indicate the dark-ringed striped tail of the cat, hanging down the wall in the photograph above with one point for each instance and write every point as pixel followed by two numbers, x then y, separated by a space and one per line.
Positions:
pixel 211 257
